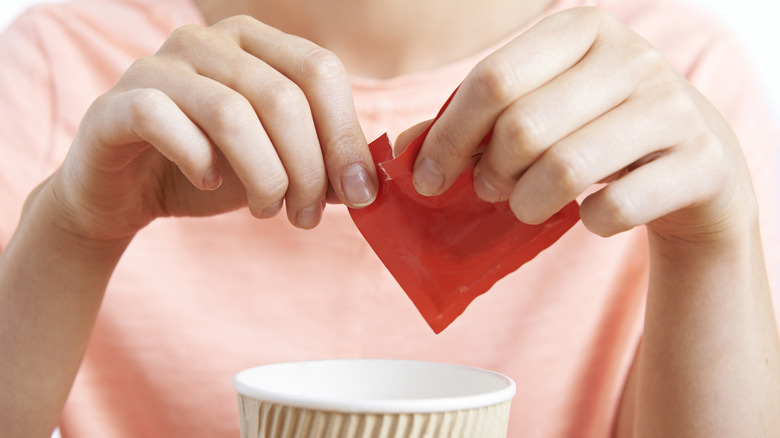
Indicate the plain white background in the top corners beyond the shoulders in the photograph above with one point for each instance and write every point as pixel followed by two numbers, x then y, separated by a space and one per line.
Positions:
pixel 757 22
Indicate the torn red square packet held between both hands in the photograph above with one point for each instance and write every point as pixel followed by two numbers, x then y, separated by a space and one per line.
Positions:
pixel 446 250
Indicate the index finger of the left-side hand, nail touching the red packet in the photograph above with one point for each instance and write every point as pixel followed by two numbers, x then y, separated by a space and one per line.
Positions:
pixel 323 79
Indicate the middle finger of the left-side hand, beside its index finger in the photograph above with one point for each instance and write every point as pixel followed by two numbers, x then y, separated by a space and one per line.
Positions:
pixel 283 111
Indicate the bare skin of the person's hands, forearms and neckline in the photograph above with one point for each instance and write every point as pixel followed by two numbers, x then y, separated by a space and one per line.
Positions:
pixel 709 361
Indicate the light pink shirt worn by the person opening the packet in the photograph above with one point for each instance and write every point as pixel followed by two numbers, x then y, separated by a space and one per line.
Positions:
pixel 194 301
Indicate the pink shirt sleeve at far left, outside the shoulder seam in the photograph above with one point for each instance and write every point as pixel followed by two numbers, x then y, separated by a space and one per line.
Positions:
pixel 25 117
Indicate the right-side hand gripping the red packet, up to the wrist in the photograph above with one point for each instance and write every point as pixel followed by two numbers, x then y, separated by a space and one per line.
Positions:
pixel 580 99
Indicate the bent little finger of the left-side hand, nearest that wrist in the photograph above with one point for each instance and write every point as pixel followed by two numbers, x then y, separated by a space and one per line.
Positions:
pixel 150 116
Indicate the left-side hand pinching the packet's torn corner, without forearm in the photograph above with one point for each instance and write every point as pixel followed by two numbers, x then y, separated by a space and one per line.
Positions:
pixel 220 117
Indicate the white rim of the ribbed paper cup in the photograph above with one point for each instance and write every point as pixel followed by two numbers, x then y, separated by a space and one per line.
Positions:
pixel 502 388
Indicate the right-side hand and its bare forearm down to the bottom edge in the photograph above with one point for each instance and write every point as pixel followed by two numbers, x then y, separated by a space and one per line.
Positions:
pixel 578 100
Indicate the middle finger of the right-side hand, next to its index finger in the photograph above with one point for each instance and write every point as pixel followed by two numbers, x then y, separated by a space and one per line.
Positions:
pixel 522 132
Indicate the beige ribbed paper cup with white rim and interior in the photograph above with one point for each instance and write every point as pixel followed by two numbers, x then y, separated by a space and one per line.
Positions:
pixel 372 398
